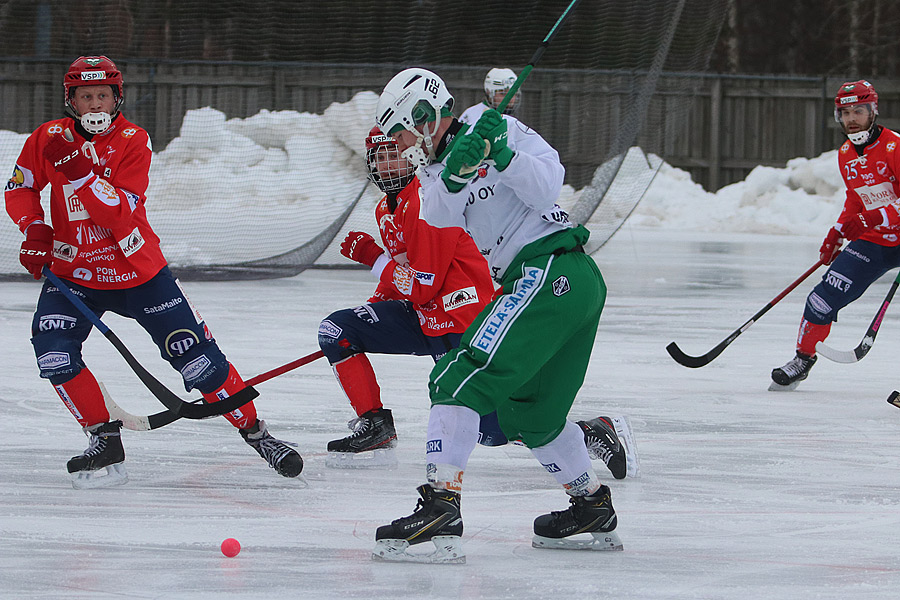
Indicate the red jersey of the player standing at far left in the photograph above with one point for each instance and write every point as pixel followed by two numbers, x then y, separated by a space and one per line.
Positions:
pixel 101 235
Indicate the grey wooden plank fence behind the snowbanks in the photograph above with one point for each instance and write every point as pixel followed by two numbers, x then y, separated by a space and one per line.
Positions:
pixel 717 127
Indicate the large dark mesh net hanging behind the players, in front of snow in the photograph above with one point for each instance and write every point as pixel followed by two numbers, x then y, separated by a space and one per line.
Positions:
pixel 258 112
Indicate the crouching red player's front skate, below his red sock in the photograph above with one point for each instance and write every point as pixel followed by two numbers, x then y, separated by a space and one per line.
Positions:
pixel 370 445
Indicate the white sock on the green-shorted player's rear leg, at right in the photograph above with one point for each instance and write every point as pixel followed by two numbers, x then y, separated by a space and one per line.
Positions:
pixel 566 458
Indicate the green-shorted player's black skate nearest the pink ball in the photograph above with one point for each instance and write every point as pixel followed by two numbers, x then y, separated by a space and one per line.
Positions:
pixel 436 519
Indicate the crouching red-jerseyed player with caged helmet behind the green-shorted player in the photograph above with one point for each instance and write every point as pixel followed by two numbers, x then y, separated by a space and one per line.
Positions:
pixel 432 282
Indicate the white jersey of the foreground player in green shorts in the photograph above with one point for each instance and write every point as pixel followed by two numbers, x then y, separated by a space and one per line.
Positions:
pixel 502 211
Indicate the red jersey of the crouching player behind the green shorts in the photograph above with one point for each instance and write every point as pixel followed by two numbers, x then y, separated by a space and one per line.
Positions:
pixel 438 269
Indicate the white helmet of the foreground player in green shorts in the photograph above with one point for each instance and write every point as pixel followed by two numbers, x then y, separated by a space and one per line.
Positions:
pixel 414 97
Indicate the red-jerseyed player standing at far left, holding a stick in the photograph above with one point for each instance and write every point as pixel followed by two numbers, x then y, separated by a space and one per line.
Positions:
pixel 98 240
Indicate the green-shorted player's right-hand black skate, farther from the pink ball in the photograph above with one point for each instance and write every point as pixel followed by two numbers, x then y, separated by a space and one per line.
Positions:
pixel 587 514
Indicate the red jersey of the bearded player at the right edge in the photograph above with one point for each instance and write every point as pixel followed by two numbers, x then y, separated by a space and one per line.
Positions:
pixel 872 183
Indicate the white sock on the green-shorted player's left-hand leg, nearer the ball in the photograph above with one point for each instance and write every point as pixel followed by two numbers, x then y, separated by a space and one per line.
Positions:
pixel 452 435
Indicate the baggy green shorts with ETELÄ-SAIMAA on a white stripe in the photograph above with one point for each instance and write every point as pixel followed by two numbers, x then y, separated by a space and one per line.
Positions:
pixel 526 353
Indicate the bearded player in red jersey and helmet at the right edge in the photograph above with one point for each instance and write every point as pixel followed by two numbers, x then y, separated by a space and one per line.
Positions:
pixel 870 166
